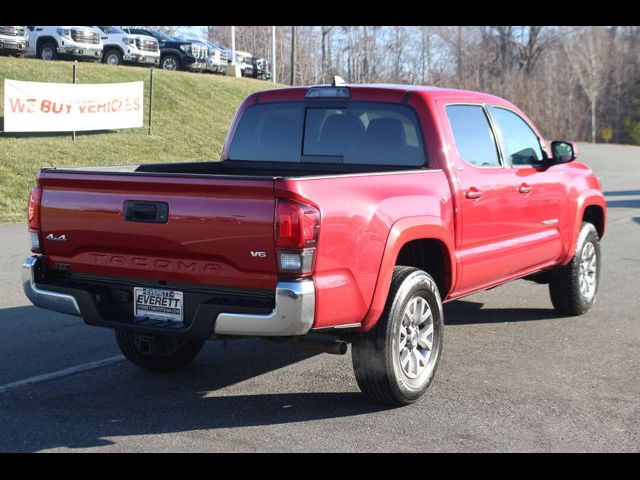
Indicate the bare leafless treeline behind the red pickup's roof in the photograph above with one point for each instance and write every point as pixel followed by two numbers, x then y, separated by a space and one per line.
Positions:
pixel 572 81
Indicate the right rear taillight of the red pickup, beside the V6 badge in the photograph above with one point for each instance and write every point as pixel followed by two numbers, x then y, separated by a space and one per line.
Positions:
pixel 297 227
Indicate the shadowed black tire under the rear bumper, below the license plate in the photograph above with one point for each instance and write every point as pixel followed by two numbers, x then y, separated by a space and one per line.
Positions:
pixel 181 358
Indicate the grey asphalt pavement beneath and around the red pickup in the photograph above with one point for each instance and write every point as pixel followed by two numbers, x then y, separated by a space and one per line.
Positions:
pixel 514 375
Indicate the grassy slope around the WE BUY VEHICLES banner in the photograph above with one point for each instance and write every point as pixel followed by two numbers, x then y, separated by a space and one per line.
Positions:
pixel 191 115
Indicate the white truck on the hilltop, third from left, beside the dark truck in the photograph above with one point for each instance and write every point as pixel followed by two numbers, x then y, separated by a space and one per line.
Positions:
pixel 121 47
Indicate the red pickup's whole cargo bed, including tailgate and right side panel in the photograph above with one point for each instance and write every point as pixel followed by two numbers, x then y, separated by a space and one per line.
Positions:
pixel 219 231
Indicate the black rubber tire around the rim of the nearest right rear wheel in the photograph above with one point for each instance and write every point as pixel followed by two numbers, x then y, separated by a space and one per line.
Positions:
pixel 376 354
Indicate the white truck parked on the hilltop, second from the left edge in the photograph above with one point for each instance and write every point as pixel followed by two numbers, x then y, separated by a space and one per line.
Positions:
pixel 53 42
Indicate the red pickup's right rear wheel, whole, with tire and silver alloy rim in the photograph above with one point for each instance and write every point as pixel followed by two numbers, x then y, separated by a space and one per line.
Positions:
pixel 395 362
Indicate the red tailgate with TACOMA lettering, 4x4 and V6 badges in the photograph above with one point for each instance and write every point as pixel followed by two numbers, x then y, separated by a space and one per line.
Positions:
pixel 218 231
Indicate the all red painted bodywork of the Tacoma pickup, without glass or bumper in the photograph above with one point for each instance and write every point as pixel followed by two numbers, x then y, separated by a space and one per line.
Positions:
pixel 365 219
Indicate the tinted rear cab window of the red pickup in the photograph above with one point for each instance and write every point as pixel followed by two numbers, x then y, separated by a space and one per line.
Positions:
pixel 349 132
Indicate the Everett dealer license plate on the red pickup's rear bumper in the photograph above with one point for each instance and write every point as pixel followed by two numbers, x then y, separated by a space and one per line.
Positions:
pixel 158 304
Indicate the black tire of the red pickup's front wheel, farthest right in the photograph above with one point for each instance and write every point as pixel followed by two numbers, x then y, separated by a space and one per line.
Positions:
pixel 565 281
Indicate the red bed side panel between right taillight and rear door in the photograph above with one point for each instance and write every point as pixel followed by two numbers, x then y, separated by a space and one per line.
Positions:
pixel 355 223
